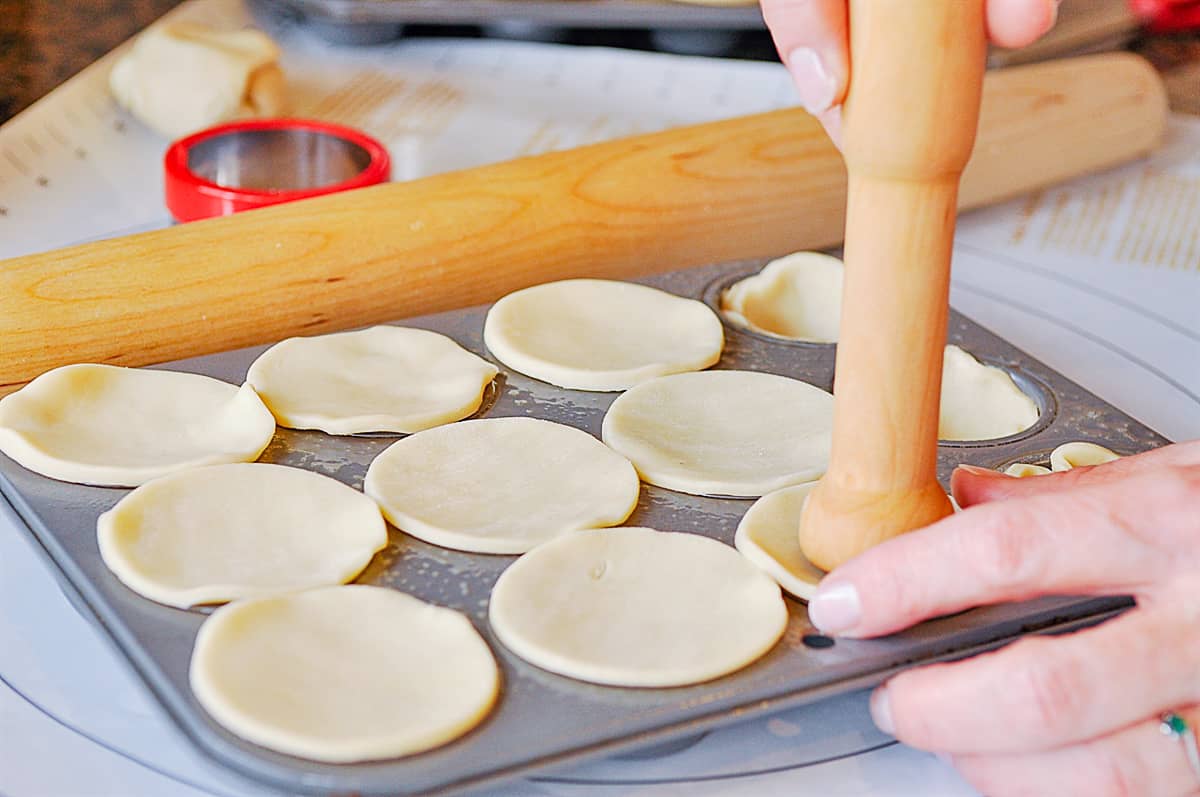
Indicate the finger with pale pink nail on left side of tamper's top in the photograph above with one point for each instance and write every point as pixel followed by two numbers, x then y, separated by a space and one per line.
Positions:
pixel 811 37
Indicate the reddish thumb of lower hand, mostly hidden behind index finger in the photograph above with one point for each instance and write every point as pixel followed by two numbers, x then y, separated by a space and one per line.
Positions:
pixel 974 486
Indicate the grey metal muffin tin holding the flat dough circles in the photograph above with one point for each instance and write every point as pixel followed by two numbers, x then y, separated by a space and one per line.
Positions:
pixel 543 721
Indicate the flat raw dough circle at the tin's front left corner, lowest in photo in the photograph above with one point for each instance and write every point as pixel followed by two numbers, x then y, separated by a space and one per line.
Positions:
pixel 344 674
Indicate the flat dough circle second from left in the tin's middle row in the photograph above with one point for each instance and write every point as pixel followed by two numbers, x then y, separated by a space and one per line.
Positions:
pixel 501 486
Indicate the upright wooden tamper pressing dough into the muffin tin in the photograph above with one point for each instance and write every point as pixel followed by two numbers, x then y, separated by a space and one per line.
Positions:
pixel 909 128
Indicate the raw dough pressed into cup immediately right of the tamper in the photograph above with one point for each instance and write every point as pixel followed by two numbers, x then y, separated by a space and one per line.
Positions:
pixel 981 403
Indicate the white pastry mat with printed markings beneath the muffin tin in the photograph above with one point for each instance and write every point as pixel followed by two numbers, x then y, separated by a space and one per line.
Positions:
pixel 1100 280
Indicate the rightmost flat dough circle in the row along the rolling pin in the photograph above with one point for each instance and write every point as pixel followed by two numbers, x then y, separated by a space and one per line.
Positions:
pixel 602 335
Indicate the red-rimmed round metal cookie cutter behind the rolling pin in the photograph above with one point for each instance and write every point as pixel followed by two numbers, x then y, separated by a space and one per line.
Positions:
pixel 259 163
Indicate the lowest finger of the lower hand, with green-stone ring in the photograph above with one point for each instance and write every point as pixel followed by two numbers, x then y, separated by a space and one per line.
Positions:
pixel 1139 760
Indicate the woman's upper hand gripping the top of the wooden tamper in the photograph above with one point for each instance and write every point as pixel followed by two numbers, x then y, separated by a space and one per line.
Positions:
pixel 813 43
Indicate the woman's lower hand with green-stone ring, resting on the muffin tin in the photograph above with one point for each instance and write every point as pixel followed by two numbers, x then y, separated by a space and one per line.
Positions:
pixel 1075 715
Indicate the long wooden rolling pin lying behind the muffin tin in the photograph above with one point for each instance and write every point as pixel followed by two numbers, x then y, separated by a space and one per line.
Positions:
pixel 747 188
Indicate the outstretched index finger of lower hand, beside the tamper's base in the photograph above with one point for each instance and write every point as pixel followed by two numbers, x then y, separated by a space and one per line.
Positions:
pixel 1120 538
